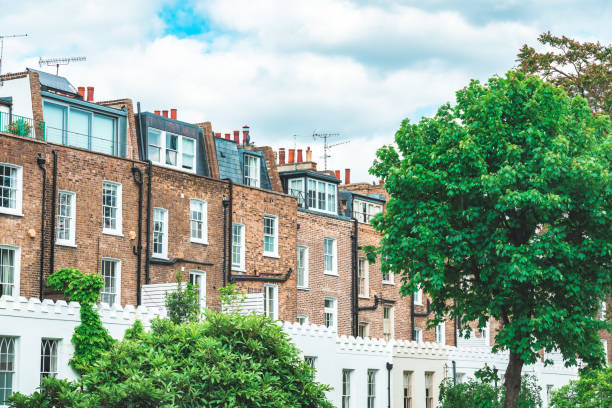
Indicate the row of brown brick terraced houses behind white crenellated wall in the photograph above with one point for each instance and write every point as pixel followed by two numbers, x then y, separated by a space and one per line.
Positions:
pixel 141 196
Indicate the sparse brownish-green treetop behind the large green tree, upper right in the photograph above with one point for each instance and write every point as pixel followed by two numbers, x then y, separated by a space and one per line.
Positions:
pixel 583 69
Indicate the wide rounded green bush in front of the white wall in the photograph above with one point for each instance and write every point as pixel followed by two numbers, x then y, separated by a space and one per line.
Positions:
pixel 226 360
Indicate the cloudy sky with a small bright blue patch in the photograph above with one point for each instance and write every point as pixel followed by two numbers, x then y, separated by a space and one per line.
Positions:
pixel 289 68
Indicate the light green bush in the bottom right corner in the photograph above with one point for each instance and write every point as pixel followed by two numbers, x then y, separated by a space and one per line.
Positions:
pixel 592 390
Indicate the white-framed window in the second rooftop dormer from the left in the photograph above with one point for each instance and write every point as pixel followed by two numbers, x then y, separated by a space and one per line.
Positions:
pixel 171 150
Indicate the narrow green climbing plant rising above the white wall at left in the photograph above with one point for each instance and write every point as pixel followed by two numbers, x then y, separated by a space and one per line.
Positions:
pixel 90 338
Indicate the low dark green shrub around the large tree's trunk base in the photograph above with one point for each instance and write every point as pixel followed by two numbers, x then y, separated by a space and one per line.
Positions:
pixel 482 393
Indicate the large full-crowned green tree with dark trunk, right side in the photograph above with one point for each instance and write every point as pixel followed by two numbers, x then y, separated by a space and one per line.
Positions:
pixel 500 208
